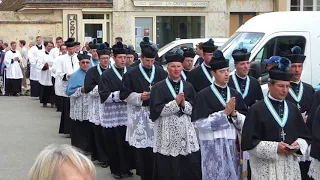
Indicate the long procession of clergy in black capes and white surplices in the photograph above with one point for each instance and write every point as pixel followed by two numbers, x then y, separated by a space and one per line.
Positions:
pixel 187 123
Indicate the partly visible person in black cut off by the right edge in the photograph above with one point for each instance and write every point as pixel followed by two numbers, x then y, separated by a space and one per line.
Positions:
pixel 314 170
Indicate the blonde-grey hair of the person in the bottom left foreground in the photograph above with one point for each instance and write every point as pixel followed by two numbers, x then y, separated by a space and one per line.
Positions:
pixel 50 159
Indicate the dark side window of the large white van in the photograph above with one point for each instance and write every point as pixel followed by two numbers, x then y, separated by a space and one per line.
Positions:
pixel 278 46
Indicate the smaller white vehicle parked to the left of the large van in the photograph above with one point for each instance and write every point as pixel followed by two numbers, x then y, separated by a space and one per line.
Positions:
pixel 188 43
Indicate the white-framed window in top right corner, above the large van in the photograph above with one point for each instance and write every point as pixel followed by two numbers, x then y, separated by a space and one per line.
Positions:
pixel 305 5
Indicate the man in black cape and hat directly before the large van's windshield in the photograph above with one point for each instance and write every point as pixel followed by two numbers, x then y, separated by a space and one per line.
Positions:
pixel 247 86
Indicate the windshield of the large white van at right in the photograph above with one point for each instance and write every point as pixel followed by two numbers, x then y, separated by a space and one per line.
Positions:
pixel 238 40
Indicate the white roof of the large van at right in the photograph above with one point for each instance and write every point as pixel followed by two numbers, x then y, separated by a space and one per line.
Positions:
pixel 283 21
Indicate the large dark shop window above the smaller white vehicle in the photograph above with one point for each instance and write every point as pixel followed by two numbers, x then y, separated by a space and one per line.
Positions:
pixel 170 28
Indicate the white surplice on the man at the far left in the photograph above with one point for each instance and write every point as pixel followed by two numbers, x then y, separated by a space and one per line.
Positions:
pixel 13 69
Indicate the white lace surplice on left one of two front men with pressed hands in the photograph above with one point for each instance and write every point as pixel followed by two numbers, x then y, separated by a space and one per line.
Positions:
pixel 175 135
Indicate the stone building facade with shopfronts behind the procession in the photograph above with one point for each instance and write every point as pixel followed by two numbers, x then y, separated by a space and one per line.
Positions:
pixel 161 20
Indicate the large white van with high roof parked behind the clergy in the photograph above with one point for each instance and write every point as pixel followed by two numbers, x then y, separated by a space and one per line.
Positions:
pixel 275 33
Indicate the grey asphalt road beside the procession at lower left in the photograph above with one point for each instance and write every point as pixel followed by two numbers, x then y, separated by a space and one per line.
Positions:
pixel 25 129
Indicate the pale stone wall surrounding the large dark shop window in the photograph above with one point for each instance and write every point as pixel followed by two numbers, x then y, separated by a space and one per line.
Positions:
pixel 217 15
